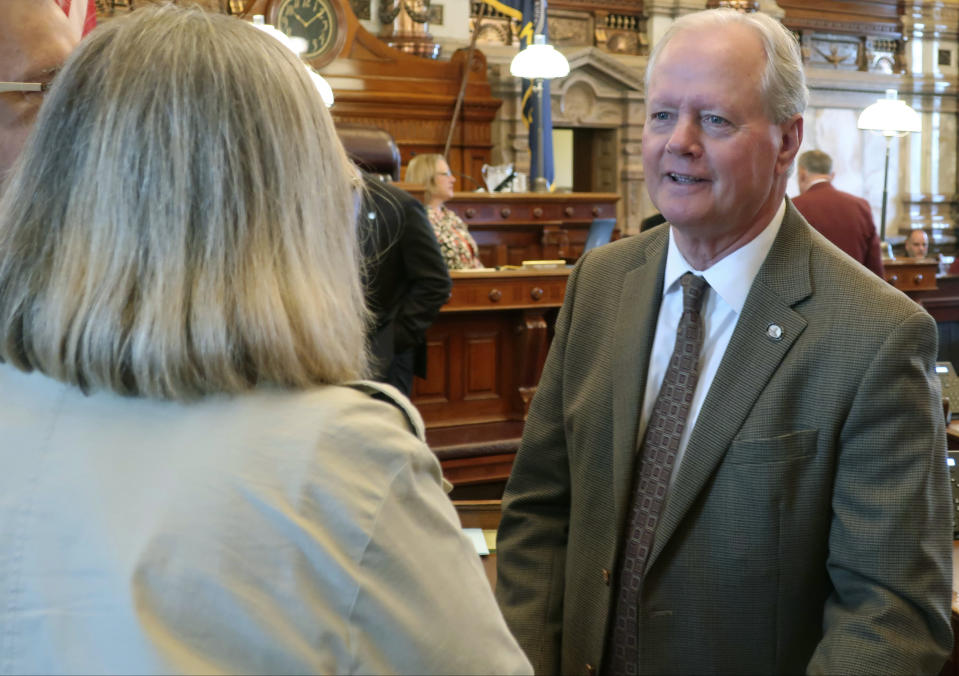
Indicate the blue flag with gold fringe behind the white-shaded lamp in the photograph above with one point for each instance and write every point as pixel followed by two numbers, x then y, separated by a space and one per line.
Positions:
pixel 532 20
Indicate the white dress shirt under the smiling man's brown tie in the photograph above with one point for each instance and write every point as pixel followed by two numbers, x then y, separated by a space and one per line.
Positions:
pixel 729 279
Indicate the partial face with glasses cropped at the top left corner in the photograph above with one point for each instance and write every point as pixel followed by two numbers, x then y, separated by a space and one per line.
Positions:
pixel 35 40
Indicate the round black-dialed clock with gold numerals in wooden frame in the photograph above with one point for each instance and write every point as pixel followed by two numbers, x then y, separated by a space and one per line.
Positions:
pixel 320 22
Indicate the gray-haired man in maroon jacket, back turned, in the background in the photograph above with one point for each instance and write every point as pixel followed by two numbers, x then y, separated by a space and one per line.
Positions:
pixel 843 219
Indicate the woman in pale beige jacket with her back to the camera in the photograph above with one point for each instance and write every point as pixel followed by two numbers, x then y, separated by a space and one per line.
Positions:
pixel 193 479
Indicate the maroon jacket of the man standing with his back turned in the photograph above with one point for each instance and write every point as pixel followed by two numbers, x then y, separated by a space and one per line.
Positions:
pixel 845 220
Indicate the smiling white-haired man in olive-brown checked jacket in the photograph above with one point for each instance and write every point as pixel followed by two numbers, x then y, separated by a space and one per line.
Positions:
pixel 807 523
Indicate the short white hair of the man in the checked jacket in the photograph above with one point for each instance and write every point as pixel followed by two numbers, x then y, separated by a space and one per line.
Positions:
pixel 783 83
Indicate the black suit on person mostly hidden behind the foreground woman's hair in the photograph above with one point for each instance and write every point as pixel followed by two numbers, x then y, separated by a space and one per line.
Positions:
pixel 406 279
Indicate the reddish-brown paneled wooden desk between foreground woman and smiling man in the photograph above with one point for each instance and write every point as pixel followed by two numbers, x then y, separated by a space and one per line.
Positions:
pixel 485 354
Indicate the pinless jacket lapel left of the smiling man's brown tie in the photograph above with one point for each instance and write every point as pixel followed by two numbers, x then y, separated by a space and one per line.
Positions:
pixel 633 339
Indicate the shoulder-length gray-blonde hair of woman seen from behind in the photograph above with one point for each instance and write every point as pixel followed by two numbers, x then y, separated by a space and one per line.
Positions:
pixel 181 221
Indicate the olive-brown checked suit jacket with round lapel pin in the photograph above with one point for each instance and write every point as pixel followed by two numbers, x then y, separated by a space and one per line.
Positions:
pixel 808 526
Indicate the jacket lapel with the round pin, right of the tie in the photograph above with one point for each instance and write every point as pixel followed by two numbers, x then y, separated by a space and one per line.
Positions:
pixel 750 360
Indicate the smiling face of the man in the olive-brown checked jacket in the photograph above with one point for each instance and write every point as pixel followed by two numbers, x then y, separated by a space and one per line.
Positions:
pixel 715 164
